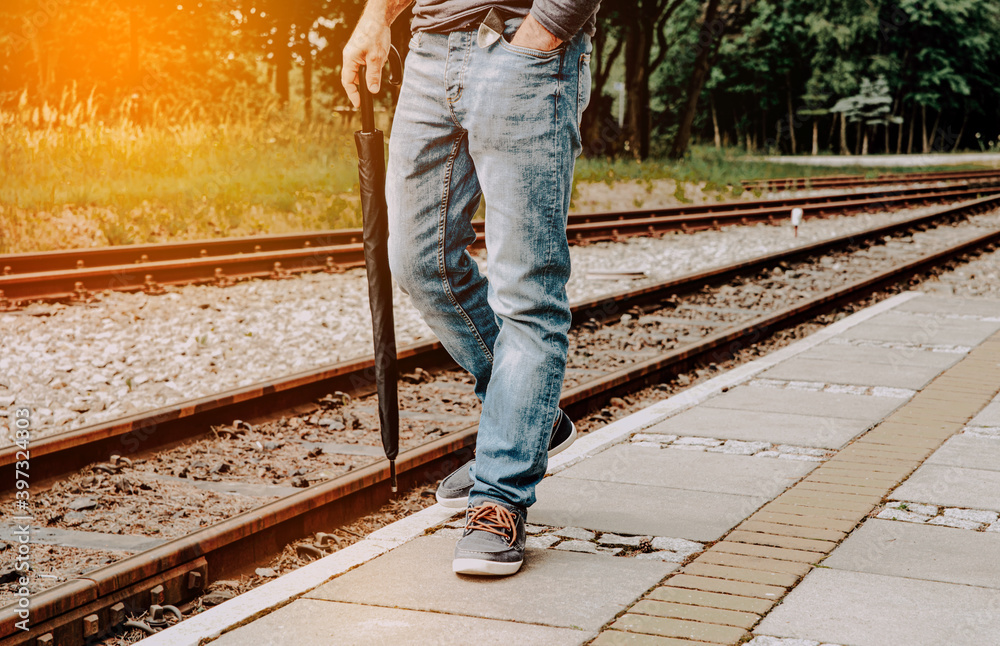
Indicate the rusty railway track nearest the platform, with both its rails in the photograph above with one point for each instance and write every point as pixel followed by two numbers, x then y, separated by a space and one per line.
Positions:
pixel 701 305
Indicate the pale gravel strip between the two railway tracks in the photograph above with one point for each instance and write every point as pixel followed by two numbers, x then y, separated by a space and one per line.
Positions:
pixel 123 354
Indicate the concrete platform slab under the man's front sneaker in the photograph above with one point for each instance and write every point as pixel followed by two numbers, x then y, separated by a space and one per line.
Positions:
pixel 567 589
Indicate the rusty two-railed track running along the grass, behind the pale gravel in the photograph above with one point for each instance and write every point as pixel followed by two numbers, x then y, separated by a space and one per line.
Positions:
pixel 77 274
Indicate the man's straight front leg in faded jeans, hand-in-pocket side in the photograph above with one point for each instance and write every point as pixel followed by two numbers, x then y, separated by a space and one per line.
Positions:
pixel 521 109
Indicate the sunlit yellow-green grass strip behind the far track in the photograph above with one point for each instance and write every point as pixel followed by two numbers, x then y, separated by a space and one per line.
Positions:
pixel 72 180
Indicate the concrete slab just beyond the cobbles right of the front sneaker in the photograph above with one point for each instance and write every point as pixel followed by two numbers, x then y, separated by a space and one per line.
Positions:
pixel 640 509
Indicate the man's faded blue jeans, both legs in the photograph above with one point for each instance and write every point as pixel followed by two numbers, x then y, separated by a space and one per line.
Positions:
pixel 502 122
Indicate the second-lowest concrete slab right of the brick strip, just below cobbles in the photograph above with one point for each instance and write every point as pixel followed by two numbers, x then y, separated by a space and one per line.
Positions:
pixel 921 552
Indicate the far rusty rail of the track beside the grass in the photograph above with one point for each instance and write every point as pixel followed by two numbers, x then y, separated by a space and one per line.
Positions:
pixel 143 254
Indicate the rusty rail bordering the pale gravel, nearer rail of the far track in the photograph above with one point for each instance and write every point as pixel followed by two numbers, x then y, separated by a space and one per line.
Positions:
pixel 152 276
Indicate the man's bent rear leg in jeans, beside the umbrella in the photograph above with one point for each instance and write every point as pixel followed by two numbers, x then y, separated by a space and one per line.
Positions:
pixel 432 193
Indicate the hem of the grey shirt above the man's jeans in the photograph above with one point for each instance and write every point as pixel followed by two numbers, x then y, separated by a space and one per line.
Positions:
pixel 563 18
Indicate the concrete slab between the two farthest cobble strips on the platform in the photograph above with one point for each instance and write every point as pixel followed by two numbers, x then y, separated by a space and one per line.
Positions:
pixel 922 330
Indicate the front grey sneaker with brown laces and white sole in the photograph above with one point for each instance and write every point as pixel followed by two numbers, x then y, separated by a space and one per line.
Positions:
pixel 493 542
